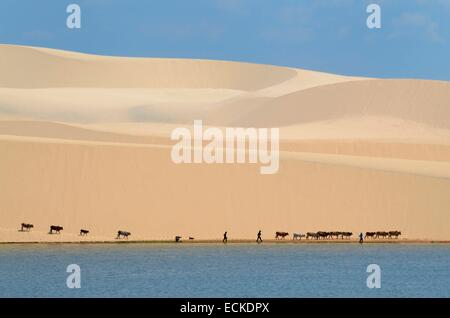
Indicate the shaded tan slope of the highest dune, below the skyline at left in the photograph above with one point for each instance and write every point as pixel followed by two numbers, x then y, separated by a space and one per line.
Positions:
pixel 63 69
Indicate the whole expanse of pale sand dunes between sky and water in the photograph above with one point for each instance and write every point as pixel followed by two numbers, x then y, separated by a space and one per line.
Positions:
pixel 84 143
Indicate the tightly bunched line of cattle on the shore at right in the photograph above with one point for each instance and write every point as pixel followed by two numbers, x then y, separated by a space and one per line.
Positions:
pixel 322 235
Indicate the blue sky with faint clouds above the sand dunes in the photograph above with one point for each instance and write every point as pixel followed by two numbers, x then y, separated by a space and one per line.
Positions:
pixel 324 35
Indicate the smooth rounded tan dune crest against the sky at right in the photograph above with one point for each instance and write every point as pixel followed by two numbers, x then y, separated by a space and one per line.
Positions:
pixel 415 100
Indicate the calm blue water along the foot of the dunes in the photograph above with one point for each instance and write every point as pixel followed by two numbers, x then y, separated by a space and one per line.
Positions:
pixel 235 270
